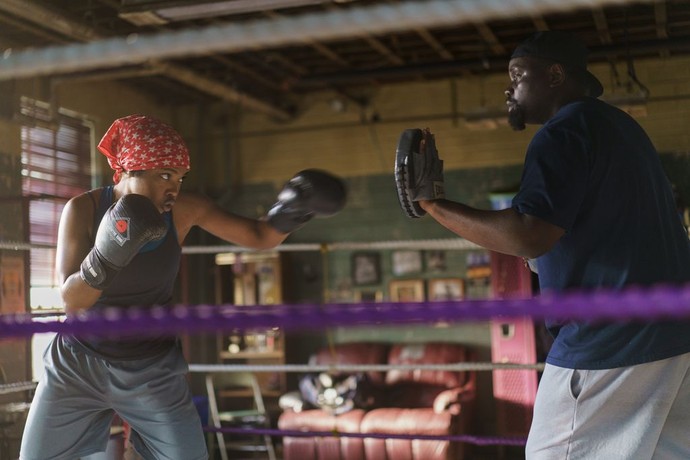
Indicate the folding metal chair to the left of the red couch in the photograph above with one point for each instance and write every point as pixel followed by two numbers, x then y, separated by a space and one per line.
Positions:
pixel 224 384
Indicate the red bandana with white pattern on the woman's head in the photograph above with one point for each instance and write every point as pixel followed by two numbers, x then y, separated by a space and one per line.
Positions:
pixel 139 142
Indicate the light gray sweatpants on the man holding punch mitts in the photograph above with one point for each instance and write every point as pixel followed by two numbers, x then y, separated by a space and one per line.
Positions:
pixel 629 413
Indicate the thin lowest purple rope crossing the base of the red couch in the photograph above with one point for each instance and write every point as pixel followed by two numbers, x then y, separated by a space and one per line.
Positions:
pixel 469 439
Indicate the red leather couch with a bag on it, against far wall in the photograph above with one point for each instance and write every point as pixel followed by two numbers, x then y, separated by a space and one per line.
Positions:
pixel 427 402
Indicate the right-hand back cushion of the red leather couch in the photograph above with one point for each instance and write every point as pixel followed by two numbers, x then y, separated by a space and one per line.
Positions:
pixel 427 353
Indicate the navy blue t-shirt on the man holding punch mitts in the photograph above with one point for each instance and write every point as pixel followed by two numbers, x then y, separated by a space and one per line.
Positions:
pixel 592 171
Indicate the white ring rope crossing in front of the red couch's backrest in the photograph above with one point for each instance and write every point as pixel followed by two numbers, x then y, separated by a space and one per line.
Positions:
pixel 348 368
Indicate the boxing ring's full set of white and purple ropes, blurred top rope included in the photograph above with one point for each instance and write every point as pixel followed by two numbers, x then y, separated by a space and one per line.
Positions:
pixel 656 302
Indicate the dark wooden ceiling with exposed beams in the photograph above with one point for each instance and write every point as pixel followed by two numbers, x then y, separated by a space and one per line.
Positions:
pixel 273 78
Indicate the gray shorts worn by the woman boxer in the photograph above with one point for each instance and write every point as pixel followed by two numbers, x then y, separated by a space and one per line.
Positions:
pixel 79 394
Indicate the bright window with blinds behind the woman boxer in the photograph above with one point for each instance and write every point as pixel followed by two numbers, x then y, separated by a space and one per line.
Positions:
pixel 56 165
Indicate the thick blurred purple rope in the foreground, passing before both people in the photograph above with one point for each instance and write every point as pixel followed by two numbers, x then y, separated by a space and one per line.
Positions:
pixel 658 302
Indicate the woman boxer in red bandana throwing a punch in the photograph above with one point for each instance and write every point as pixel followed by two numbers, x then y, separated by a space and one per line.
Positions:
pixel 120 246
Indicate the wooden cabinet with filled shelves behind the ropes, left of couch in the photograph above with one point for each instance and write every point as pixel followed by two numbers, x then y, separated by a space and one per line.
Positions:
pixel 252 279
